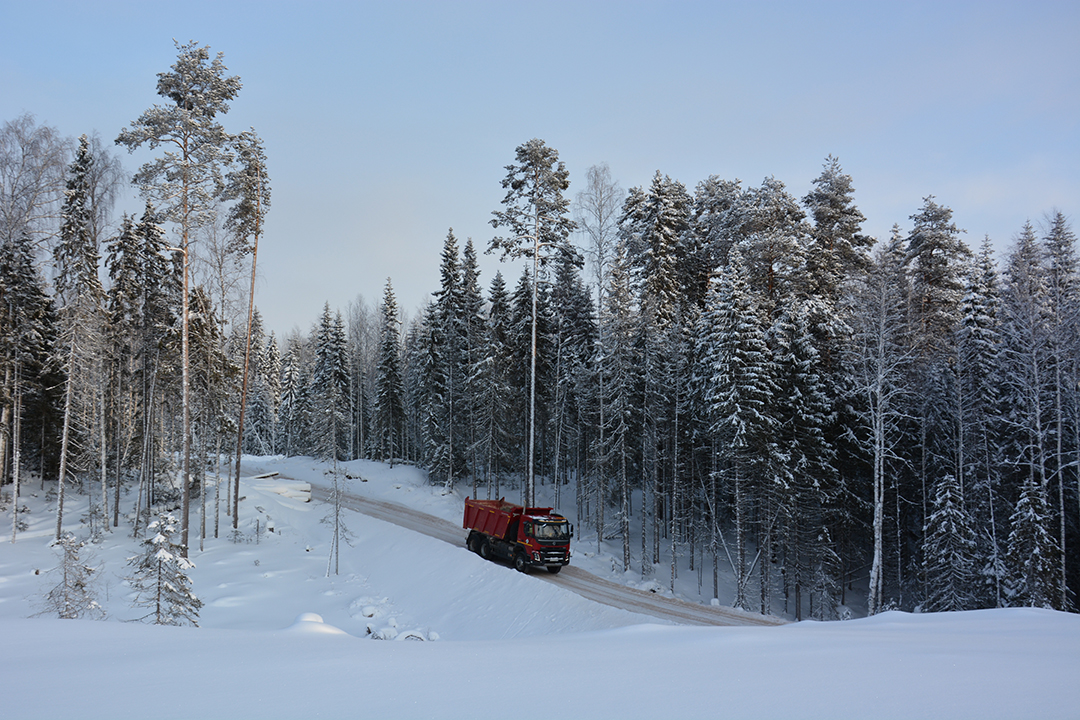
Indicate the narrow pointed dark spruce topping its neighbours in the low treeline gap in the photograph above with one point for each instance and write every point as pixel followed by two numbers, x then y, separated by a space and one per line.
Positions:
pixel 389 416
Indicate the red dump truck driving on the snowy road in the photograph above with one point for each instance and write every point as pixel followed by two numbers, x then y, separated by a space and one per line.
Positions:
pixel 528 537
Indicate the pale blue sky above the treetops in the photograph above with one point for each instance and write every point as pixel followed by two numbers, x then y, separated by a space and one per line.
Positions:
pixel 388 124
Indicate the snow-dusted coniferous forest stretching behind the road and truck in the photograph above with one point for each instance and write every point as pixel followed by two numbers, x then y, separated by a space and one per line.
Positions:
pixel 726 374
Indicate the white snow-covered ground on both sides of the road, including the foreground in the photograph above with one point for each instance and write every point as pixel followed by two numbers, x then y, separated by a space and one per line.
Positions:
pixel 280 640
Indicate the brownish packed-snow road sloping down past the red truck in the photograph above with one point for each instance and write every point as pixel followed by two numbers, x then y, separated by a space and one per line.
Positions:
pixel 573 579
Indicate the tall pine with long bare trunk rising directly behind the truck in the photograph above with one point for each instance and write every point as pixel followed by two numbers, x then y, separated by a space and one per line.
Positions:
pixel 538 228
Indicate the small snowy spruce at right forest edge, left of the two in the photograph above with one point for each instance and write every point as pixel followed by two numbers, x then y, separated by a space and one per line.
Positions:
pixel 949 551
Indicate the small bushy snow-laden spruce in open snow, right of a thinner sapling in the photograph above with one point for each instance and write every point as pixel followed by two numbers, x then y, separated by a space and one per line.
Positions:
pixel 160 577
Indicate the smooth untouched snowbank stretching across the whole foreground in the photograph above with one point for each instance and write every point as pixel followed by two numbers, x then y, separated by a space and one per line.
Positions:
pixel 991 664
